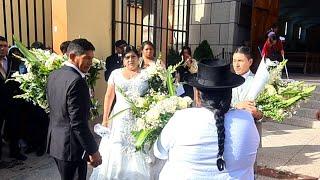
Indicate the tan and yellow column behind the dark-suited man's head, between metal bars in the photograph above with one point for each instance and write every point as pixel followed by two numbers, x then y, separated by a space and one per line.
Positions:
pixel 86 19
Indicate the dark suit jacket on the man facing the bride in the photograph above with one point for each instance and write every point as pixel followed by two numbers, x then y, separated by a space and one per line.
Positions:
pixel 69 103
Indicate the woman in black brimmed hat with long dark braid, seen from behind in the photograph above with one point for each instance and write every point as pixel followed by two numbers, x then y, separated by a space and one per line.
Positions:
pixel 210 141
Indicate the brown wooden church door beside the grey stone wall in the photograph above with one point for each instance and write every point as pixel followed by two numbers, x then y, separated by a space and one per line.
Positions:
pixel 264 14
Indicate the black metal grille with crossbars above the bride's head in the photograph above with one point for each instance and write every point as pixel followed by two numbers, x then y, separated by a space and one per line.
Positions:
pixel 163 22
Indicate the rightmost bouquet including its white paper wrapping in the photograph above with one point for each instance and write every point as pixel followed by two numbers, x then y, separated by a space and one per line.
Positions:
pixel 276 97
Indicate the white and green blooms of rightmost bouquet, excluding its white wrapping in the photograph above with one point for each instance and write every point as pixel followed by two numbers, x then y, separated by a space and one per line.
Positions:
pixel 279 97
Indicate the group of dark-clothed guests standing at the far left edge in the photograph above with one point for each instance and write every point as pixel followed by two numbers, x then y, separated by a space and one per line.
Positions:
pixel 23 126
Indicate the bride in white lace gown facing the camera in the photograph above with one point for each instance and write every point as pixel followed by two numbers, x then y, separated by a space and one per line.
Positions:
pixel 120 160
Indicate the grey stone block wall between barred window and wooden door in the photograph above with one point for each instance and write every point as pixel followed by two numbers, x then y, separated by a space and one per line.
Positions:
pixel 217 22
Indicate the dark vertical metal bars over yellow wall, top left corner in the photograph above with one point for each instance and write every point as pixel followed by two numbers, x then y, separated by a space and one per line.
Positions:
pixel 29 20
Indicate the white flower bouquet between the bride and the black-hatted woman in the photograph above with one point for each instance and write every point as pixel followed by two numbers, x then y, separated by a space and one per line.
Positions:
pixel 157 106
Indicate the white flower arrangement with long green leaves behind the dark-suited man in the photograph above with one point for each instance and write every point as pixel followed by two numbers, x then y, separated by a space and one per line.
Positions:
pixel 40 63
